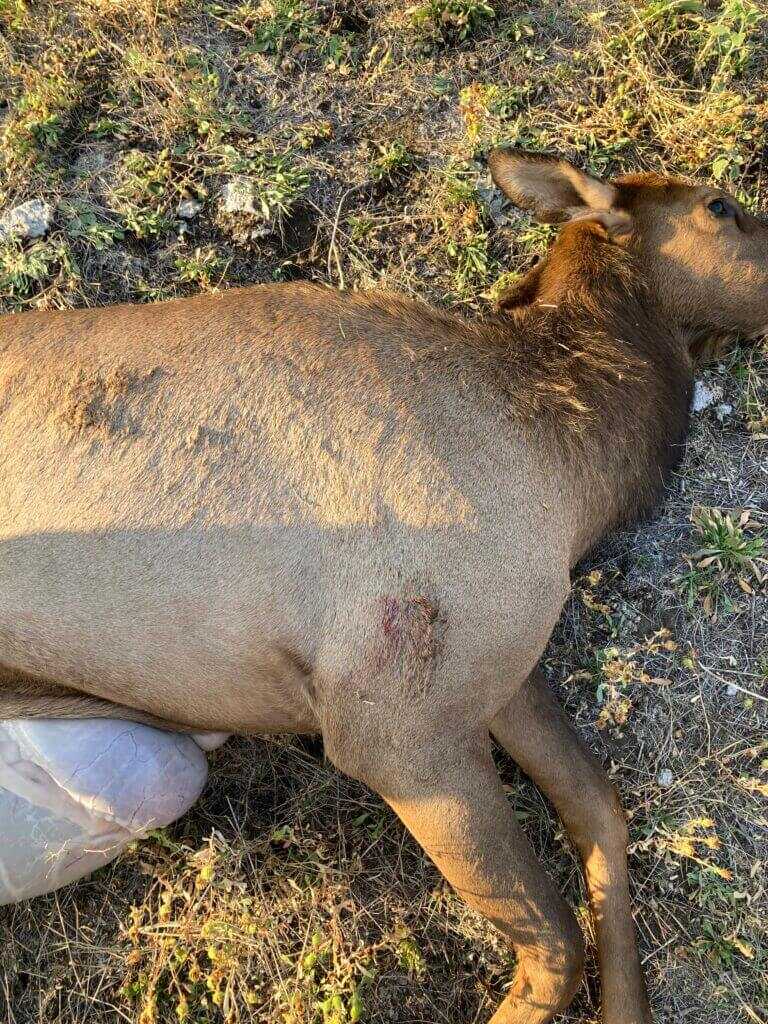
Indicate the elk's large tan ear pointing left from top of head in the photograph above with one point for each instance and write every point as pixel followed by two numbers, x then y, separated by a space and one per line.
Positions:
pixel 553 190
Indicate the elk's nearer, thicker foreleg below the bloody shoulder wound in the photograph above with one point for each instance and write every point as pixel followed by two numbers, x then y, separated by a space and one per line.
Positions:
pixel 451 799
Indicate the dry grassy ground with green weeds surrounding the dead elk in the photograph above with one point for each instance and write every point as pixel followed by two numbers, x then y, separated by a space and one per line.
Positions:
pixel 290 894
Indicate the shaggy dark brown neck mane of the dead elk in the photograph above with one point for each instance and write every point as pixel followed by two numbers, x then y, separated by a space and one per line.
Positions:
pixel 592 366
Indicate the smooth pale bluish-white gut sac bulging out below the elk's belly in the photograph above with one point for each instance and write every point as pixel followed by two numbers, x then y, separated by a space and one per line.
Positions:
pixel 73 795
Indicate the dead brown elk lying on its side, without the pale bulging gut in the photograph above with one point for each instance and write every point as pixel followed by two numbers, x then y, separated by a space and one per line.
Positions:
pixel 286 508
